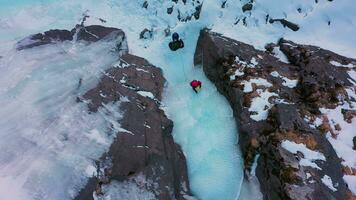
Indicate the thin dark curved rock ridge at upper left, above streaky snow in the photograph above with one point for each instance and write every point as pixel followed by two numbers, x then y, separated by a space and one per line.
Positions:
pixel 92 33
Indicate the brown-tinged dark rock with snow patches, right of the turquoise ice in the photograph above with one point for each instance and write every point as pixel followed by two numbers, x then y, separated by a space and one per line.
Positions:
pixel 231 65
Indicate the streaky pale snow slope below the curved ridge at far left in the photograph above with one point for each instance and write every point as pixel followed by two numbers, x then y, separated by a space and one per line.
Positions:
pixel 48 139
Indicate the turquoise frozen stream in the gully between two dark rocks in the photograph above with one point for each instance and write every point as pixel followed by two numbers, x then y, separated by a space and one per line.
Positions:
pixel 203 123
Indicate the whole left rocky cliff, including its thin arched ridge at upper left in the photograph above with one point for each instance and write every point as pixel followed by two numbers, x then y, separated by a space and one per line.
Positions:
pixel 143 160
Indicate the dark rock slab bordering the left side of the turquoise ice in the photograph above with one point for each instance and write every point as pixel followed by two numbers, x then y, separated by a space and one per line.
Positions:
pixel 145 146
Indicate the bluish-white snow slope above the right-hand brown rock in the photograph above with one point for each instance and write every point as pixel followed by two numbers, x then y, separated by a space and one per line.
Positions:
pixel 312 20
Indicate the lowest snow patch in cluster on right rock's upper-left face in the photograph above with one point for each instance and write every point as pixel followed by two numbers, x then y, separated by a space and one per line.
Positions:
pixel 260 105
